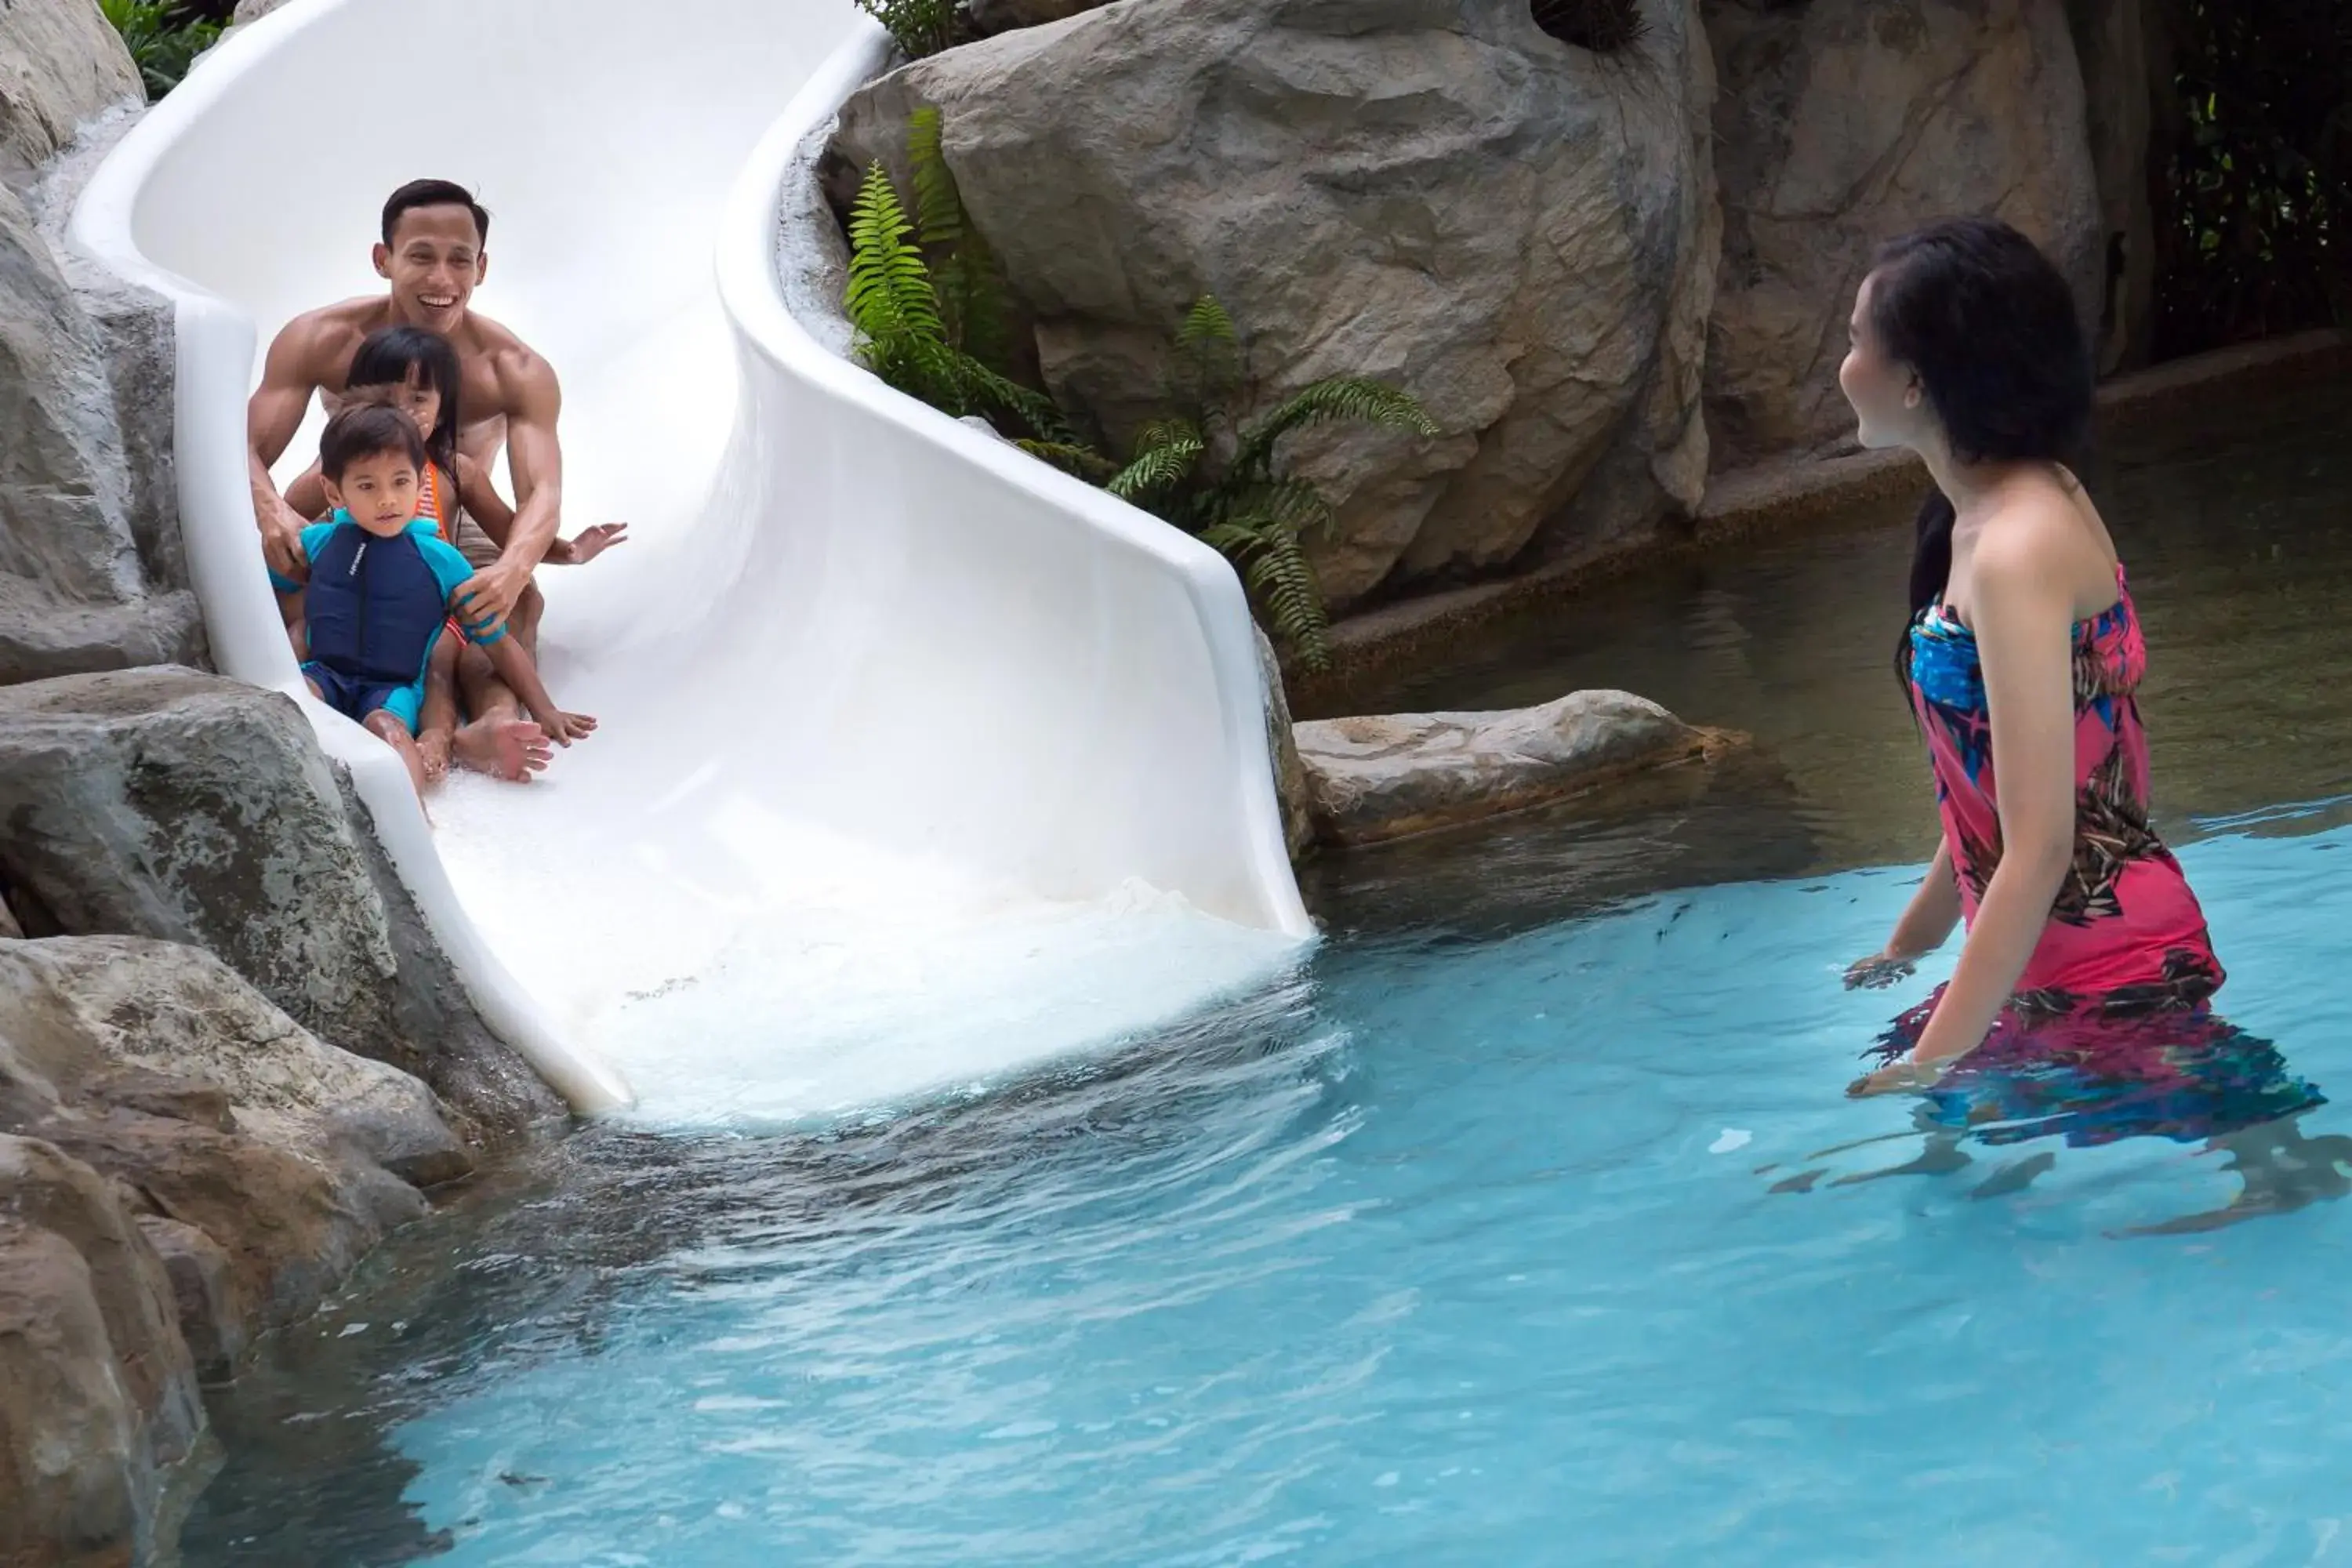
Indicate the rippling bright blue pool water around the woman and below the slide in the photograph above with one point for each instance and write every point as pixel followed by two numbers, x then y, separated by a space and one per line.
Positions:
pixel 1459 1247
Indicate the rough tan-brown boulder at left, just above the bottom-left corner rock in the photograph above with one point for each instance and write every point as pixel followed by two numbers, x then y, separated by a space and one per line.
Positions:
pixel 265 1162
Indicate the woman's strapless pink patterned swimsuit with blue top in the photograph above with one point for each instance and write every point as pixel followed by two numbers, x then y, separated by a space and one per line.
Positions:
pixel 2125 932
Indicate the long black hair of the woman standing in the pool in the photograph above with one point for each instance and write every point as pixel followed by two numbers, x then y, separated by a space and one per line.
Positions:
pixel 1991 330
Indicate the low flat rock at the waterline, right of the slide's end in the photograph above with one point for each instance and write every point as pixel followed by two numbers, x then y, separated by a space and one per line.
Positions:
pixel 1408 772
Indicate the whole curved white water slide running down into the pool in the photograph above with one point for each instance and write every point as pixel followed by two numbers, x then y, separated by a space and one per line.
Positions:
pixel 918 760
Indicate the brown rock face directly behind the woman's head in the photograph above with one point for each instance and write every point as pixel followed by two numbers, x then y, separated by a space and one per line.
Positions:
pixel 1845 123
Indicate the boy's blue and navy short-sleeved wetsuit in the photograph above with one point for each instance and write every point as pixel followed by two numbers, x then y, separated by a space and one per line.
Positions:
pixel 375 612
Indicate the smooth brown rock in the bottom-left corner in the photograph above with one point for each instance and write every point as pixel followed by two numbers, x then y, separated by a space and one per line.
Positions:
pixel 98 1393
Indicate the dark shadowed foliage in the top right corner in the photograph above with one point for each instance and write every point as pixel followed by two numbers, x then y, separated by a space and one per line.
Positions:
pixel 2259 229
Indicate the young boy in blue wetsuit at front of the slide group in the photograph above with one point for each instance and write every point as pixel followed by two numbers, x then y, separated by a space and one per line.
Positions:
pixel 382 587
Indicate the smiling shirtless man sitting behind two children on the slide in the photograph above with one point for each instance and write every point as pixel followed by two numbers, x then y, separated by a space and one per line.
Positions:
pixel 434 257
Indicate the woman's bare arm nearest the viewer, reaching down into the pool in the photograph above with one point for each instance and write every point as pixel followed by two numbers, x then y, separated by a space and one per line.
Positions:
pixel 2024 634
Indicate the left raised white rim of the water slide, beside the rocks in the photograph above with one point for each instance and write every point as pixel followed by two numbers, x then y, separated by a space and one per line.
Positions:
pixel 215 363
